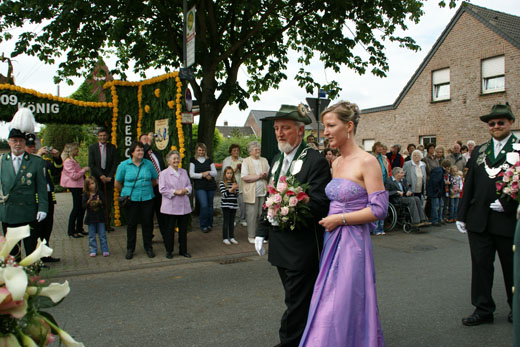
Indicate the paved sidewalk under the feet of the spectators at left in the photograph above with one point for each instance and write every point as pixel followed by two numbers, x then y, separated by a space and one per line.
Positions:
pixel 75 257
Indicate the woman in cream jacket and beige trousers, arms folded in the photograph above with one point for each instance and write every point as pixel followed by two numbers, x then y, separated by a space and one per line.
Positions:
pixel 254 186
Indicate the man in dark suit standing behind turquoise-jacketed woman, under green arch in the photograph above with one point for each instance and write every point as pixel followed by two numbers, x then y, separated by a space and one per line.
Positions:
pixel 103 161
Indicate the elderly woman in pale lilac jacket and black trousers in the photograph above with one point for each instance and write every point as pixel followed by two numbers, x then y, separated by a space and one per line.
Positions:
pixel 175 188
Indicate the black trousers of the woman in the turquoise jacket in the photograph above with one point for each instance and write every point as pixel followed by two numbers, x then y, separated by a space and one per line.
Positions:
pixel 139 212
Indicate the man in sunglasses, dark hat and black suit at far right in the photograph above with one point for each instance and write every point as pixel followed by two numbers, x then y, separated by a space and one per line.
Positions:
pixel 489 218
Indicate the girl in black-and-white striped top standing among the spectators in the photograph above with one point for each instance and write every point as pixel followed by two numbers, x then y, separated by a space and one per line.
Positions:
pixel 229 204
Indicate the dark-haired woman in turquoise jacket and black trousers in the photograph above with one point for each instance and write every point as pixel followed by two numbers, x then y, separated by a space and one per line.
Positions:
pixel 135 178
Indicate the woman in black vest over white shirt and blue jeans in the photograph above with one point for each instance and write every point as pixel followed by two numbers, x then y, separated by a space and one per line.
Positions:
pixel 203 173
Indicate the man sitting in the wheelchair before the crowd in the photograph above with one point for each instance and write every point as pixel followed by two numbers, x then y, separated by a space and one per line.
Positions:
pixel 399 193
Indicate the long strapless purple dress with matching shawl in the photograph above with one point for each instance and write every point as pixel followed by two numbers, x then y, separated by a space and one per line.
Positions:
pixel 343 311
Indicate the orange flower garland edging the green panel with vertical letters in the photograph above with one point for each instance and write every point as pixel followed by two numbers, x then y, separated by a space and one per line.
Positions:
pixel 178 113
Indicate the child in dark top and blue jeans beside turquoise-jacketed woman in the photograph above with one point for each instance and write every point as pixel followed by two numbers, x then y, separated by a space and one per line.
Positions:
pixel 95 216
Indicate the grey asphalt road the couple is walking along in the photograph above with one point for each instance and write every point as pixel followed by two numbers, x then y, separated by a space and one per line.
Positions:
pixel 423 292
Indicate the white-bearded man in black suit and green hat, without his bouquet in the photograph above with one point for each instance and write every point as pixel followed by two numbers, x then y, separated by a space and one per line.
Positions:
pixel 296 253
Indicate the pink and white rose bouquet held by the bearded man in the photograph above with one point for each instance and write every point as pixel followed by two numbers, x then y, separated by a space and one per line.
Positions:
pixel 284 204
